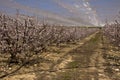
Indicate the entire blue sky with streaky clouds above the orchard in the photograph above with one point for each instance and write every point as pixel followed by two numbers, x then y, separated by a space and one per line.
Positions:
pixel 73 12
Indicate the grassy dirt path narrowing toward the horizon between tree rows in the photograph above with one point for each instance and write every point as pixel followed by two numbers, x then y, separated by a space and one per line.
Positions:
pixel 87 62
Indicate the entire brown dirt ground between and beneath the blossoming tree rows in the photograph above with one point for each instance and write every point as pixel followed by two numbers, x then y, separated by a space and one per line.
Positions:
pixel 92 58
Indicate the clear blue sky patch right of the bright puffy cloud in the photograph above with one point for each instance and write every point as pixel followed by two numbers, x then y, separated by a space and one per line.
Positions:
pixel 106 8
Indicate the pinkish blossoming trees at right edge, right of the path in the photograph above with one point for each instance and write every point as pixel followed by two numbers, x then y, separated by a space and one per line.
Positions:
pixel 112 31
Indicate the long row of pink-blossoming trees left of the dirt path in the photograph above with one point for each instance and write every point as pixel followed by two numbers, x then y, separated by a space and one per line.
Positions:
pixel 21 38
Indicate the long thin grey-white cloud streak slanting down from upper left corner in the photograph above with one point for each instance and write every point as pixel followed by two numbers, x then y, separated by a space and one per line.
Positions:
pixel 47 14
